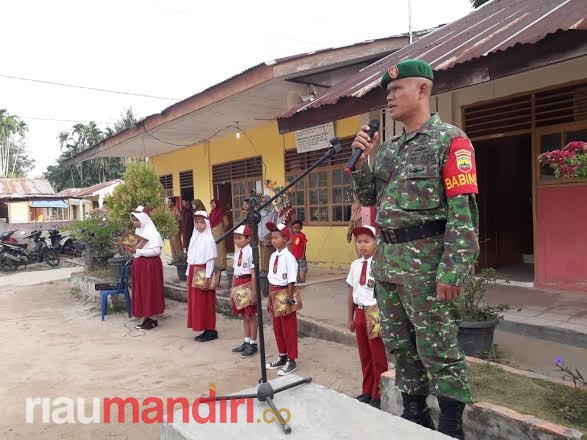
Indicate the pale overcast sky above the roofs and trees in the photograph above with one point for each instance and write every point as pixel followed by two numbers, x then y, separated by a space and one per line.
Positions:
pixel 167 48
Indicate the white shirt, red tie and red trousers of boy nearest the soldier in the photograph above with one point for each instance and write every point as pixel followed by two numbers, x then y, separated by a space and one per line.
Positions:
pixel 371 351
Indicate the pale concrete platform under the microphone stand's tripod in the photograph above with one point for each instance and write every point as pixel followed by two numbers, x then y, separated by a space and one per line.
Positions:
pixel 316 413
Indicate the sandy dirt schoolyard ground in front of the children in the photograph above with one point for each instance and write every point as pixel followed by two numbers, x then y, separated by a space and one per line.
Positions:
pixel 53 345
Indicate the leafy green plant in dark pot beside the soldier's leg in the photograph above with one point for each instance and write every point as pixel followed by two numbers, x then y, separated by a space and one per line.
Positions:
pixel 475 292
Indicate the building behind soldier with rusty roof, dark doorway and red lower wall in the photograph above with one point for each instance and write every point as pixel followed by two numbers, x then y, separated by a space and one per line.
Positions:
pixel 512 75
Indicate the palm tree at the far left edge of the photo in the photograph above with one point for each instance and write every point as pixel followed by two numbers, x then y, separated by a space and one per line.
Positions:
pixel 14 160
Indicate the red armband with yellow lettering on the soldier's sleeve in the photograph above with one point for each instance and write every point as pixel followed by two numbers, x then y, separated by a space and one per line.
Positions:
pixel 460 172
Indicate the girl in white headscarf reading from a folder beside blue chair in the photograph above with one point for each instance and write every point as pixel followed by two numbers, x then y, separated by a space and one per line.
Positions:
pixel 148 297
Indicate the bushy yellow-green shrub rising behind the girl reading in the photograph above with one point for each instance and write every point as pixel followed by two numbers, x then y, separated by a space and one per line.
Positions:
pixel 141 187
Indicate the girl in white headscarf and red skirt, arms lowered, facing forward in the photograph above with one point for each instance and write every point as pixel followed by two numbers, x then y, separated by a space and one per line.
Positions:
pixel 202 300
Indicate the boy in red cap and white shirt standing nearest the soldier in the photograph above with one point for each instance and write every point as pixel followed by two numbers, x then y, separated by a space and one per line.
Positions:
pixel 362 302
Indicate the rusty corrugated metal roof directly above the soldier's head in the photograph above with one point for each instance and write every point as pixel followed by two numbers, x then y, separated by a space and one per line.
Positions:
pixel 496 26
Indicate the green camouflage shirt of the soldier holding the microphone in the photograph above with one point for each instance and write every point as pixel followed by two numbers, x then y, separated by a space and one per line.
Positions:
pixel 408 184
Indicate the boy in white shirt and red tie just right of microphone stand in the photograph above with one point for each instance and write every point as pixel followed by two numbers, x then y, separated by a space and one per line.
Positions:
pixel 283 273
